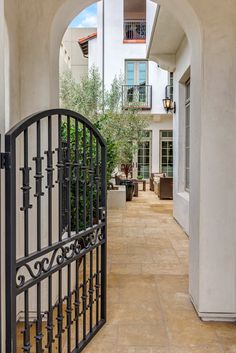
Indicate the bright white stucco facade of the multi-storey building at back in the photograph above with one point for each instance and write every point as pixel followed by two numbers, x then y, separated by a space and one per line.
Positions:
pixel 115 54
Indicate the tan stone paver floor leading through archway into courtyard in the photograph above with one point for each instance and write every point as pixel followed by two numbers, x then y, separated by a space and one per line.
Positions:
pixel 149 310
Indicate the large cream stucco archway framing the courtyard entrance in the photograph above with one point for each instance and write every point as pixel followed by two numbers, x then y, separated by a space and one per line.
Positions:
pixel 35 32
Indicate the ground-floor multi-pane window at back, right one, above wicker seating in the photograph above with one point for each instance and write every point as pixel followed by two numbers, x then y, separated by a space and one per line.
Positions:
pixel 166 152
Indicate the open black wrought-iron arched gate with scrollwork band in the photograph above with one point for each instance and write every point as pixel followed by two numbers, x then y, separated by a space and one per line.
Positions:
pixel 55 165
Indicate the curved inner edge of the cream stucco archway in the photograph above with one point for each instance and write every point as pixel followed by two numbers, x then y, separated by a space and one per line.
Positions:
pixel 185 15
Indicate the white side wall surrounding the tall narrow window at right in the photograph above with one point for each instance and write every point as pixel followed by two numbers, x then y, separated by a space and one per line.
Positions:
pixel 181 197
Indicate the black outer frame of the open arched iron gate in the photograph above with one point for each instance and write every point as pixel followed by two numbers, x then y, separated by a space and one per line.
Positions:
pixel 8 161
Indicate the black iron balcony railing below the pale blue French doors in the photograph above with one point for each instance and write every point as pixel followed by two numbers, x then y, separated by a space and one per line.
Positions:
pixel 137 96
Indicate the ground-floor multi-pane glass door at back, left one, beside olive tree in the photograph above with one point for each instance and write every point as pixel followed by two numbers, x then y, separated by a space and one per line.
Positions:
pixel 145 155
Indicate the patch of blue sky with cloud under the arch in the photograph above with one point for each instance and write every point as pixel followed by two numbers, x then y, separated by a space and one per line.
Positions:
pixel 87 18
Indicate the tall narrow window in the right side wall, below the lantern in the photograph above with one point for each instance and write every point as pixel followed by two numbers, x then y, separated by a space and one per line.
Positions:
pixel 187 136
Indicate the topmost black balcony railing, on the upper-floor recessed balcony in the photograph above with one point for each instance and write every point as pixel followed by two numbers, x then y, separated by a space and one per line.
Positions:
pixel 135 30
